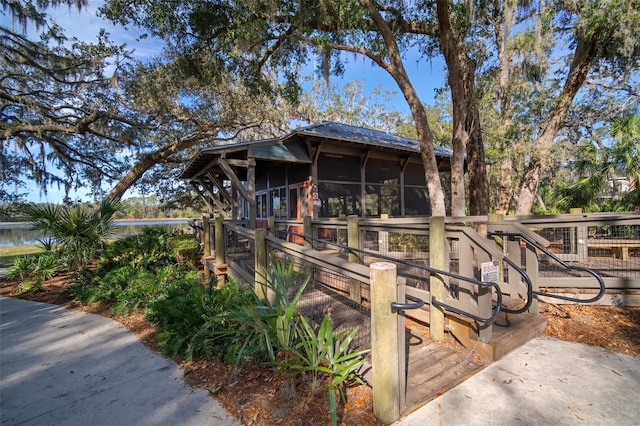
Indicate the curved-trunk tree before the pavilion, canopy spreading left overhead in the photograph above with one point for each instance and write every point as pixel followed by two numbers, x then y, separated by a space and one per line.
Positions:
pixel 252 38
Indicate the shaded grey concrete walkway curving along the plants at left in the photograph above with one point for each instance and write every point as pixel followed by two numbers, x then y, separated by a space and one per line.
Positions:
pixel 63 367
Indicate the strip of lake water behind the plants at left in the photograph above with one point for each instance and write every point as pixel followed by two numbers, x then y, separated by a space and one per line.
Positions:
pixel 12 234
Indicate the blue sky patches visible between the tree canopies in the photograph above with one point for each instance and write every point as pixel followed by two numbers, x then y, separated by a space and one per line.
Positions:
pixel 85 25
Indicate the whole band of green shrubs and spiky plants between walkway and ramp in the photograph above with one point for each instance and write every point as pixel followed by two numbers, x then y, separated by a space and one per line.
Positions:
pixel 228 321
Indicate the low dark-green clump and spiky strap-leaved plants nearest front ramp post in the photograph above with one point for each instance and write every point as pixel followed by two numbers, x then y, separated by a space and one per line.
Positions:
pixel 232 323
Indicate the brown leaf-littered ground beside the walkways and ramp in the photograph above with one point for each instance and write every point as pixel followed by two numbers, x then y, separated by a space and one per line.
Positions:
pixel 258 395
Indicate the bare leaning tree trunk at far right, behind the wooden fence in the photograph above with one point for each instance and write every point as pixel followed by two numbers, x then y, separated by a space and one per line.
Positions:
pixel 583 58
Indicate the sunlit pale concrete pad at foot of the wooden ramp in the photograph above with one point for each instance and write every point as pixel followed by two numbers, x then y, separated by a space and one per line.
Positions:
pixel 545 382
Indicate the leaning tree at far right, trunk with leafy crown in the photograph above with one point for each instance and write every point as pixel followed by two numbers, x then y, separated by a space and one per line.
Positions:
pixel 602 34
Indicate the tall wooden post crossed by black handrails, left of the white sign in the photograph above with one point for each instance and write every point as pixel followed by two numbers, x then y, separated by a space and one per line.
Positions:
pixel 437 260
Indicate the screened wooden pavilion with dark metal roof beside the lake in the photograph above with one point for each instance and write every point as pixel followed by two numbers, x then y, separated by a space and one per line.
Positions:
pixel 324 170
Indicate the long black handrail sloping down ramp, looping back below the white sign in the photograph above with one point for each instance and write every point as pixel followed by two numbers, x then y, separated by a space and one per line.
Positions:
pixel 498 305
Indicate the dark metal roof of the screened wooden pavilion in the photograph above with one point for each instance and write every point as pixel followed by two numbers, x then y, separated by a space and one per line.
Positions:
pixel 323 130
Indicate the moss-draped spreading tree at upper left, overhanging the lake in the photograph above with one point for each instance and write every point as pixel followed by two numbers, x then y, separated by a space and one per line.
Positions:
pixel 78 114
